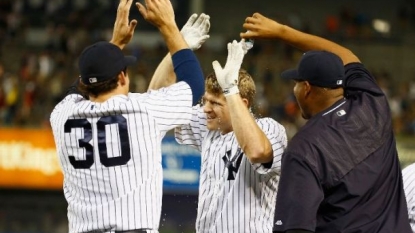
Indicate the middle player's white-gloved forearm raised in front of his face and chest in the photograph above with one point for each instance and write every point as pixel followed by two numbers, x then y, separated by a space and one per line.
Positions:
pixel 250 136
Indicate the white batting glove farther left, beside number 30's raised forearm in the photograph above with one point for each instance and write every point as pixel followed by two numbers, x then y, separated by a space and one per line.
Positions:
pixel 195 31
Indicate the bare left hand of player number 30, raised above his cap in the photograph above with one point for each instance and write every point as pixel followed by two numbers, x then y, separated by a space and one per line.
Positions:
pixel 123 29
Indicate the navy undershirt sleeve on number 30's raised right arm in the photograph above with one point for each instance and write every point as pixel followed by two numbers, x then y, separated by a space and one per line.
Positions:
pixel 188 69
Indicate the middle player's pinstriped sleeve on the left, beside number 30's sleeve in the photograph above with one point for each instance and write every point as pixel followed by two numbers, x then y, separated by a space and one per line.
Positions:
pixel 192 134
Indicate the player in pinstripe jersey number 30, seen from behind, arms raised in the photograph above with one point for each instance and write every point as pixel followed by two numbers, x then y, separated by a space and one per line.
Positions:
pixel 109 143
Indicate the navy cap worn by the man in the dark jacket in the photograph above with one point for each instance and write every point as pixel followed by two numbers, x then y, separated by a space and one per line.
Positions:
pixel 319 68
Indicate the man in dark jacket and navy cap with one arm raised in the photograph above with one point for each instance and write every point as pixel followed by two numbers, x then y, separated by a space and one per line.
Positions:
pixel 341 171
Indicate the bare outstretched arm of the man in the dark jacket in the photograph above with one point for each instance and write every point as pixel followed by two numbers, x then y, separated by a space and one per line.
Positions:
pixel 261 27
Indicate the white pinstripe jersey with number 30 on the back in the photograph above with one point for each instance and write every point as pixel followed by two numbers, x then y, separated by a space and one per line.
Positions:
pixel 110 154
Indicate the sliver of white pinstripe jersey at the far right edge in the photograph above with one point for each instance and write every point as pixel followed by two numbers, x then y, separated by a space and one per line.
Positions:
pixel 408 176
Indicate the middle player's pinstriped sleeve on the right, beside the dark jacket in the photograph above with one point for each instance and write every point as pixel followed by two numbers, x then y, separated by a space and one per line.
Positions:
pixel 277 136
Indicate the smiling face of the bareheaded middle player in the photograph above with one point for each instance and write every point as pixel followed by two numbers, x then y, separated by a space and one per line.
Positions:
pixel 217 112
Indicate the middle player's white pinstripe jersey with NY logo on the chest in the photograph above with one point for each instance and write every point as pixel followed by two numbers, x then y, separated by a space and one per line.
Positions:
pixel 234 195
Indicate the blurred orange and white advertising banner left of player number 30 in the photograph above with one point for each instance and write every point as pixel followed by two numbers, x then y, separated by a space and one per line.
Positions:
pixel 28 159
